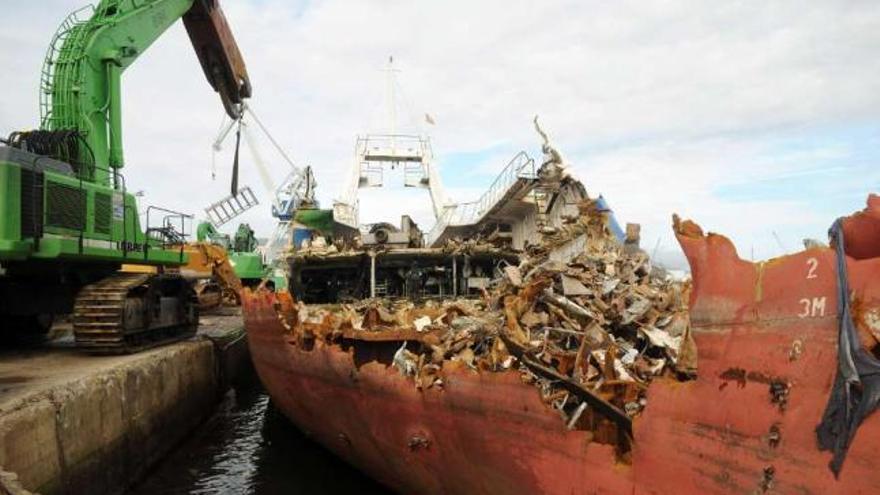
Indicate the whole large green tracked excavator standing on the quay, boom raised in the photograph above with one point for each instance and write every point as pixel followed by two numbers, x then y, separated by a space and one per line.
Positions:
pixel 68 220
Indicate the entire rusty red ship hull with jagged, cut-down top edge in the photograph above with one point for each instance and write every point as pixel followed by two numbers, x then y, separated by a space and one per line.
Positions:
pixel 767 340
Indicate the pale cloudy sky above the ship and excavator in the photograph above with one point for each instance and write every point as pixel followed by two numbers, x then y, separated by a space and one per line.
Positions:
pixel 759 120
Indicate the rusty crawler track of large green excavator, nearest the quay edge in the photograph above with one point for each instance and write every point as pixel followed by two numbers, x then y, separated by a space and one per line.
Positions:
pixel 130 312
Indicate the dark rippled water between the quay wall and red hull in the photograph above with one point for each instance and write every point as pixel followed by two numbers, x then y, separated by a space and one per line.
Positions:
pixel 248 447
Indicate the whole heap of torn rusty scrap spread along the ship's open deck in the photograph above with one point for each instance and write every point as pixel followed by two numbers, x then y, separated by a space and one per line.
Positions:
pixel 589 329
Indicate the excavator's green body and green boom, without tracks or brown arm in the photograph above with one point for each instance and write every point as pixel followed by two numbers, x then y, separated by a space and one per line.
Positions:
pixel 67 219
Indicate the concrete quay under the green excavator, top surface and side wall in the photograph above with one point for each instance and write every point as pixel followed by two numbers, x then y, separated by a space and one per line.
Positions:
pixel 74 423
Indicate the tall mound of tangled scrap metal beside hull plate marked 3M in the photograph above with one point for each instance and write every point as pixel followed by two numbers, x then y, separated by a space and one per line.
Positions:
pixel 594 331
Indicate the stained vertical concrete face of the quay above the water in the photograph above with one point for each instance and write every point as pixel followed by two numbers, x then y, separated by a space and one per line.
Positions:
pixel 101 433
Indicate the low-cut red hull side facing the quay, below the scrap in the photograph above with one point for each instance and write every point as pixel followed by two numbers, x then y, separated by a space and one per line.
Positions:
pixel 483 433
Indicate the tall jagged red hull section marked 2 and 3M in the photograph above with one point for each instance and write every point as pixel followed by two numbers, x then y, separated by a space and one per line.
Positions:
pixel 757 326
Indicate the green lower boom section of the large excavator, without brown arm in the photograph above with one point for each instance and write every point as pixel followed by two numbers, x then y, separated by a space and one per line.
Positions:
pixel 82 76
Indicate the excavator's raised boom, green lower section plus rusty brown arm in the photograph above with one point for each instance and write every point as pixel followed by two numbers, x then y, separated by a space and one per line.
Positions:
pixel 84 66
